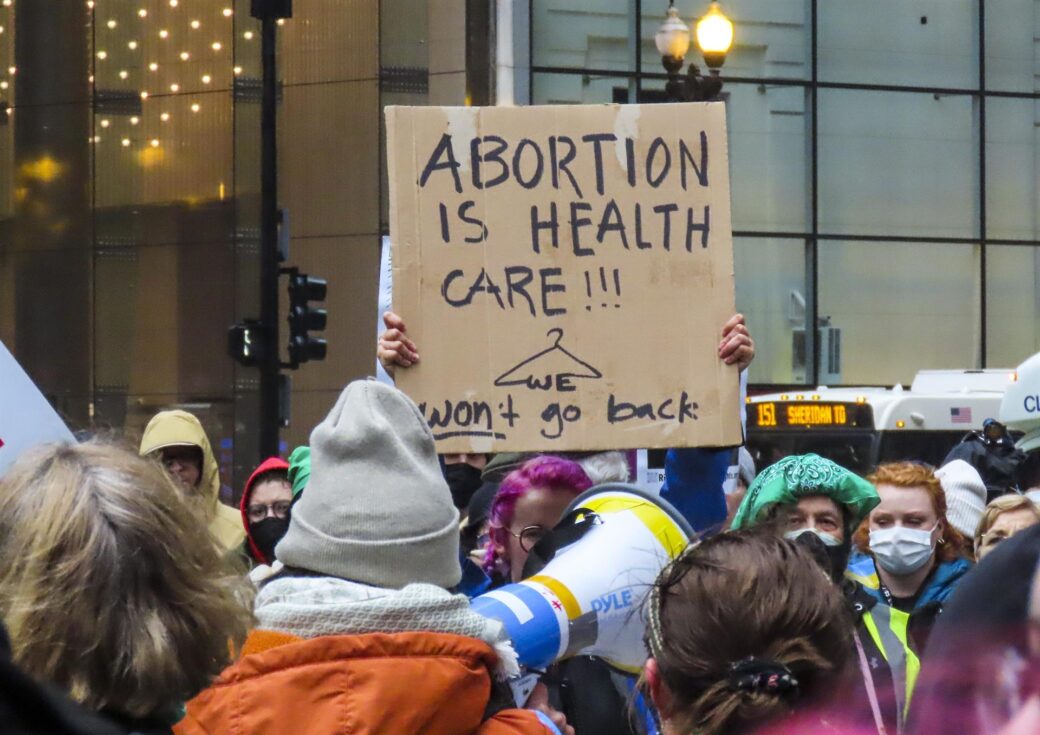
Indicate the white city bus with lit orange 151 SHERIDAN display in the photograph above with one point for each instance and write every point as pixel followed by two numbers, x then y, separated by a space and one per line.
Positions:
pixel 862 428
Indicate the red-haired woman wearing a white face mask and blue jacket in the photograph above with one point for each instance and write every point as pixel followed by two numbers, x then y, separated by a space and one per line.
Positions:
pixel 914 558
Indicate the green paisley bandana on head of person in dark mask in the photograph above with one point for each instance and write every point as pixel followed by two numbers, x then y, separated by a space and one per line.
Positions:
pixel 802 476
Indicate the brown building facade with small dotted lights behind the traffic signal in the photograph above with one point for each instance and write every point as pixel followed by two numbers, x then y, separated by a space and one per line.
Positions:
pixel 131 196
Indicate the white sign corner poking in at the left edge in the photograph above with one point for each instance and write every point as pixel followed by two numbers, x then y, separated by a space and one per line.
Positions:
pixel 27 417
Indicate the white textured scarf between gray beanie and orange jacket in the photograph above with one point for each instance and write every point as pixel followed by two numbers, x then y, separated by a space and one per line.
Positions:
pixel 310 608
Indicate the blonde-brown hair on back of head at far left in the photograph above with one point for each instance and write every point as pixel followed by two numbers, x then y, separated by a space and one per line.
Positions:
pixel 111 585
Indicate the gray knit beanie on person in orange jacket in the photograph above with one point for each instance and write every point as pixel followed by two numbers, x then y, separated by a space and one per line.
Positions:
pixel 377 509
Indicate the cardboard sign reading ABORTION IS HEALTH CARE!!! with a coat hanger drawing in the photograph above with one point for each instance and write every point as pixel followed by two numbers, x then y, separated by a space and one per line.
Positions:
pixel 566 273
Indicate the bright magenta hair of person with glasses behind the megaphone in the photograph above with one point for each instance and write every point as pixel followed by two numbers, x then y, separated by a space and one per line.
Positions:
pixel 543 471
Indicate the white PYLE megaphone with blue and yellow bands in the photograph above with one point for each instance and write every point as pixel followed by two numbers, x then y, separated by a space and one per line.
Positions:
pixel 604 559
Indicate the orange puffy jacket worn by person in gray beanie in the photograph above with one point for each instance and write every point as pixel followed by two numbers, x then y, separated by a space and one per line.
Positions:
pixel 372 685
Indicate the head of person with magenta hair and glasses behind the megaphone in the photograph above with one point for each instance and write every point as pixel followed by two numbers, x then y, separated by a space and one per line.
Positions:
pixel 530 503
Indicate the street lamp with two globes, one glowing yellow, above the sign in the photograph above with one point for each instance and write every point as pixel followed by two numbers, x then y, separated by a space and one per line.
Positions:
pixel 715 37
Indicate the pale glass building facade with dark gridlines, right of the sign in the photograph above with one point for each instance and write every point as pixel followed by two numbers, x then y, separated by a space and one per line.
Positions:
pixel 885 164
